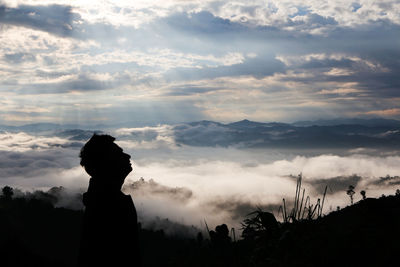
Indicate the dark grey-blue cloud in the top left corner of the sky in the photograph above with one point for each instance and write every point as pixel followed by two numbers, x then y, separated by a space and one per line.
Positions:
pixel 54 19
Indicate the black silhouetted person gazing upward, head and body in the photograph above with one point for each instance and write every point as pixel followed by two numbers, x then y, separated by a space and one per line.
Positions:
pixel 110 230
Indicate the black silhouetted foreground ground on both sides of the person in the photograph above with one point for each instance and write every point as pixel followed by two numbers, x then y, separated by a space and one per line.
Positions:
pixel 34 233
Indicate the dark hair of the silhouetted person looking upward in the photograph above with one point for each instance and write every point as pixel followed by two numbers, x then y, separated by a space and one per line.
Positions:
pixel 95 152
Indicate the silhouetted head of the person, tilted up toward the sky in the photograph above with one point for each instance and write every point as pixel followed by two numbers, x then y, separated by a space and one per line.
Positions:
pixel 104 159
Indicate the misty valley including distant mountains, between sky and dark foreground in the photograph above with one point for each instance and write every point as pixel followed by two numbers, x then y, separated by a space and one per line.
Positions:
pixel 210 171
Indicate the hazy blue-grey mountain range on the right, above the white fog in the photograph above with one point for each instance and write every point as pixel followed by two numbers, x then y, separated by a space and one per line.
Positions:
pixel 373 133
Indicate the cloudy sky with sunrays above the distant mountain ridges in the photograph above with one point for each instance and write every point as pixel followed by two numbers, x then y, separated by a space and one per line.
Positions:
pixel 149 62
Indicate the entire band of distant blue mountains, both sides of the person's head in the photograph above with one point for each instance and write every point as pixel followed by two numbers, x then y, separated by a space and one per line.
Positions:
pixel 339 133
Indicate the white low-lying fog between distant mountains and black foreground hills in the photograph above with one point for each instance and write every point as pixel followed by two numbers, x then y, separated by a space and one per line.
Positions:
pixel 190 184
